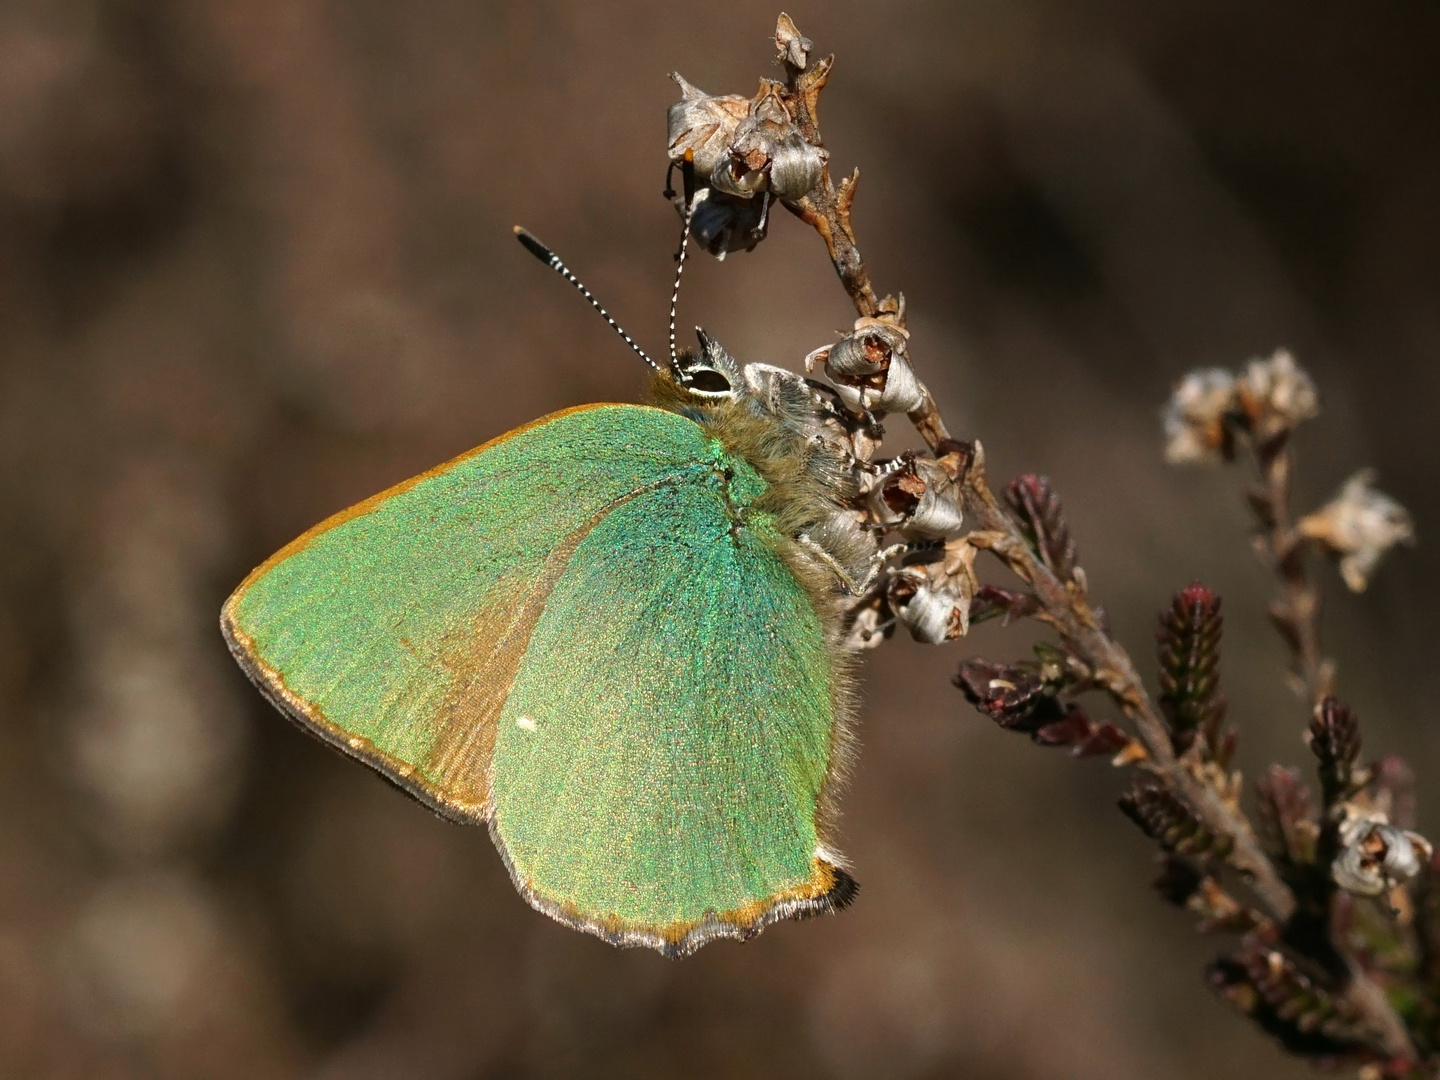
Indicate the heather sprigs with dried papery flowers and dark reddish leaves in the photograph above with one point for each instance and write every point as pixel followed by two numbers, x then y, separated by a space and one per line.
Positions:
pixel 1336 958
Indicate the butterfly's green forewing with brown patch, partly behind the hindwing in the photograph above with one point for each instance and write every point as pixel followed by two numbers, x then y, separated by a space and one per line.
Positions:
pixel 395 629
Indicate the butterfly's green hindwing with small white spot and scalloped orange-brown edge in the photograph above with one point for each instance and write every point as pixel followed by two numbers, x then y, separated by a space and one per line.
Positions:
pixel 669 735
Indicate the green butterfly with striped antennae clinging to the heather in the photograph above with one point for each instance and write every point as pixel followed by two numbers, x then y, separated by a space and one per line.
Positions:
pixel 611 636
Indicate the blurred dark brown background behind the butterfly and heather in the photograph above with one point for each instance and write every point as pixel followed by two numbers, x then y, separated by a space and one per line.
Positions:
pixel 256 264
